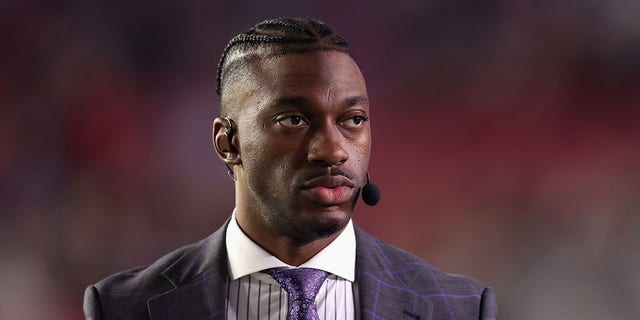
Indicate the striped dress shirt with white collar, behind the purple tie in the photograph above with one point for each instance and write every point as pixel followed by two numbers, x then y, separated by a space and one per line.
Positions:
pixel 252 294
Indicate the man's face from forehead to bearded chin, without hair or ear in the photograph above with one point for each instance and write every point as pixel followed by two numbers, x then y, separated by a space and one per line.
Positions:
pixel 304 142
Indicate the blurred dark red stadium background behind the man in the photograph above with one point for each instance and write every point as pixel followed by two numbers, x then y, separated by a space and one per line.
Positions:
pixel 506 142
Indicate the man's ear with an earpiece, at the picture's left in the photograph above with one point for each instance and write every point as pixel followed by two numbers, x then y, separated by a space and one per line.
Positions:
pixel 225 141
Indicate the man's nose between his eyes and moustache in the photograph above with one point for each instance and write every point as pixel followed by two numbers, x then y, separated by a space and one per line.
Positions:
pixel 326 147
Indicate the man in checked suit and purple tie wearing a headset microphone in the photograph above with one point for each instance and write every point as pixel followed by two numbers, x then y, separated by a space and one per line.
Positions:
pixel 294 131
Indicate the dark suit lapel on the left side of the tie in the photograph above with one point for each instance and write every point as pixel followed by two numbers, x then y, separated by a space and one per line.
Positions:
pixel 199 279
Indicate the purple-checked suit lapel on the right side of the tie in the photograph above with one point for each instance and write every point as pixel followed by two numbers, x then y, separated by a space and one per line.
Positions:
pixel 384 286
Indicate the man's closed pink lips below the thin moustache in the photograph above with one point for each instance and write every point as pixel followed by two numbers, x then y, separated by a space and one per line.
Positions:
pixel 329 189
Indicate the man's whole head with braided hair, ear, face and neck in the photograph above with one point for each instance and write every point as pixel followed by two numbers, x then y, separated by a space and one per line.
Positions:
pixel 300 142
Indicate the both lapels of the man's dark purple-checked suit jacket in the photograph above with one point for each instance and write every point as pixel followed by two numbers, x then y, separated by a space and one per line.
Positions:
pixel 200 276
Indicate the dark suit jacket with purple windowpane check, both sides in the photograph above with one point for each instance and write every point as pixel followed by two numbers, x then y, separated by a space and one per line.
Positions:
pixel 190 283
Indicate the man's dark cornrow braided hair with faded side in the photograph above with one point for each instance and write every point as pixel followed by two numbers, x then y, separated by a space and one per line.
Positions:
pixel 277 37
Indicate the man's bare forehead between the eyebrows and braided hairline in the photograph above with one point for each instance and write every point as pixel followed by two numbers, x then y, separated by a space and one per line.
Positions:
pixel 327 74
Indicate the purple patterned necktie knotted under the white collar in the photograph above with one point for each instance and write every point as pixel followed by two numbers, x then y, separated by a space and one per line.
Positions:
pixel 301 285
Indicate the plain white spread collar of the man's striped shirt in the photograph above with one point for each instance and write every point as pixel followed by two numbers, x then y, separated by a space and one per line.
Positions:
pixel 246 257
